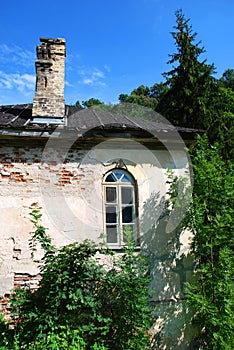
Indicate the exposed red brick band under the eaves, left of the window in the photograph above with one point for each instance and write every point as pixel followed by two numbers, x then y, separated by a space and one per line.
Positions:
pixel 25 165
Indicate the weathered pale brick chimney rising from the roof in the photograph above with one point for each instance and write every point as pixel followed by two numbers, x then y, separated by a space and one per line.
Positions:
pixel 49 97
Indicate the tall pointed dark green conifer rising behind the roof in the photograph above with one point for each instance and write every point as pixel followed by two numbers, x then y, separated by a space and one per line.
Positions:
pixel 189 99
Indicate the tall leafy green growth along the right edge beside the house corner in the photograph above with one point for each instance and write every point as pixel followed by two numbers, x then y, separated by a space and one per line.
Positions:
pixel 211 220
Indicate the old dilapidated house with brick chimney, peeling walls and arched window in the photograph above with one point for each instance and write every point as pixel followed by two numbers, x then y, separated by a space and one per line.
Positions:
pixel 93 172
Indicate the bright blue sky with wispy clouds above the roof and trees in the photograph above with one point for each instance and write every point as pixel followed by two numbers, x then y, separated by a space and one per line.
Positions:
pixel 112 46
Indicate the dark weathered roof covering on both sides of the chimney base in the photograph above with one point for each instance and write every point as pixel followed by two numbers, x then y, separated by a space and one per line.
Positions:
pixel 19 117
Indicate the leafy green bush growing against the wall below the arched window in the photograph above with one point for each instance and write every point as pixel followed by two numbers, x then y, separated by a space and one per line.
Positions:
pixel 82 303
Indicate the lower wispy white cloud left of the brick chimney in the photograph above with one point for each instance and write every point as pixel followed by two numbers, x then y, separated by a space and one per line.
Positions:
pixel 17 81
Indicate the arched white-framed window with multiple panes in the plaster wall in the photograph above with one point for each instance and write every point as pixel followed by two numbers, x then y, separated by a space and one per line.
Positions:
pixel 119 207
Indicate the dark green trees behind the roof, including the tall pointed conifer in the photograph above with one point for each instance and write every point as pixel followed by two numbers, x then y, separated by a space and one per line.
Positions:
pixel 190 96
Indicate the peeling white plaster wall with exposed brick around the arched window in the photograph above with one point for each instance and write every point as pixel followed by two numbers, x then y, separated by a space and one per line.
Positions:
pixel 70 194
